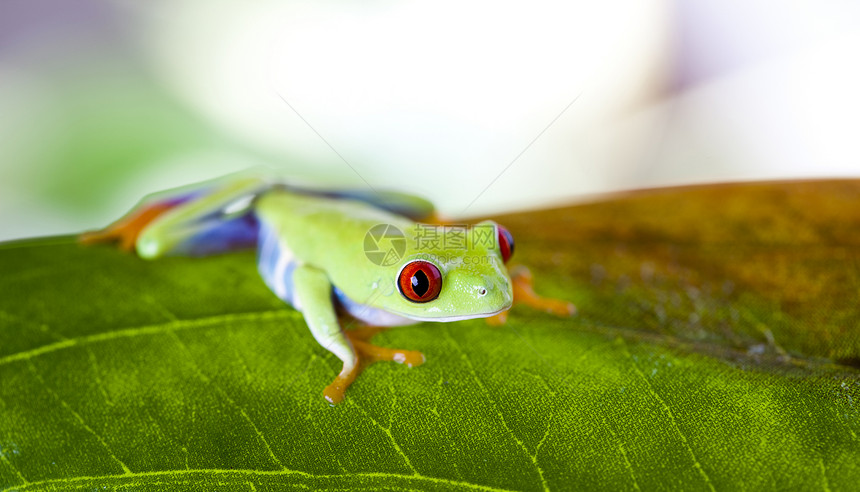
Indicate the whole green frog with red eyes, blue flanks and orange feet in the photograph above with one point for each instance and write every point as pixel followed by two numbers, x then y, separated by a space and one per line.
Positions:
pixel 379 257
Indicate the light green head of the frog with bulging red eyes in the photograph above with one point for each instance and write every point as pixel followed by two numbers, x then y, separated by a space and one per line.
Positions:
pixel 452 272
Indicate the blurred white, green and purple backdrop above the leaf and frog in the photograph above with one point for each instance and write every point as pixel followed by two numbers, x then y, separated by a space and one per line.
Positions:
pixel 480 106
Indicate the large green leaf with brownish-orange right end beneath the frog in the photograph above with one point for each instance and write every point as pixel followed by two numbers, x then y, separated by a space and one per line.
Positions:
pixel 716 347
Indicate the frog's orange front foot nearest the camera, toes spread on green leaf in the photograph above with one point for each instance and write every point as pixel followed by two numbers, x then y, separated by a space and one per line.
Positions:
pixel 367 354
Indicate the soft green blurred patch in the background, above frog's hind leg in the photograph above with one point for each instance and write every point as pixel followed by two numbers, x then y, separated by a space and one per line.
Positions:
pixel 109 123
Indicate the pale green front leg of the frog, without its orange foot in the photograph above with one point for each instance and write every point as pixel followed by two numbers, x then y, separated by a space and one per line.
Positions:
pixel 312 296
